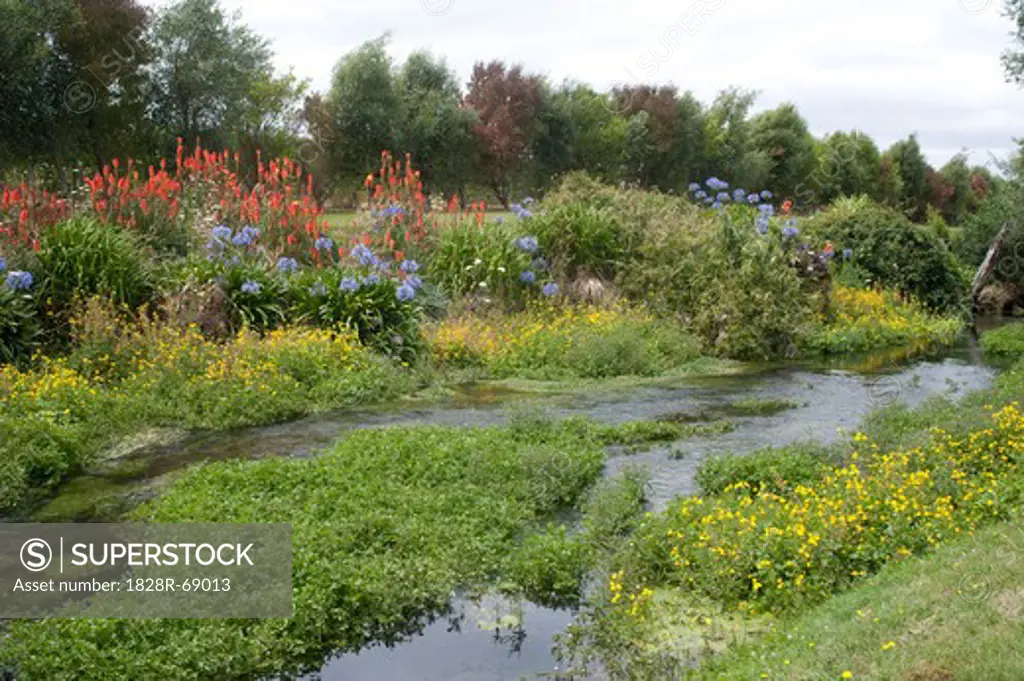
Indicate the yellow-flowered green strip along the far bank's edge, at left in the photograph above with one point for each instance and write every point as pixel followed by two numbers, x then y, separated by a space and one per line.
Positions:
pixel 59 417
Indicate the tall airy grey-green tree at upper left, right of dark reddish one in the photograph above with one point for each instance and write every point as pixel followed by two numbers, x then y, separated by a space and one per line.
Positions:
pixel 208 66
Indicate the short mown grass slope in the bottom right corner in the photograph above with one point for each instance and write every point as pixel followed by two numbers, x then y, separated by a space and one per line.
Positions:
pixel 957 615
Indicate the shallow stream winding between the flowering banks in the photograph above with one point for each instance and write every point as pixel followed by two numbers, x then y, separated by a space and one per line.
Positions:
pixel 497 641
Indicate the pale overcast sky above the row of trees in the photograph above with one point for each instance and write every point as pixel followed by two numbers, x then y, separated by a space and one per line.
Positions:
pixel 887 67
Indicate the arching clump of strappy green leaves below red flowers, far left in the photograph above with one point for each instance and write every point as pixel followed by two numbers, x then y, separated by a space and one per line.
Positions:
pixel 84 258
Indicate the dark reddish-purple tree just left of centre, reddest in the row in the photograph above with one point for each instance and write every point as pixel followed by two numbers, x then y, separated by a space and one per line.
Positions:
pixel 507 103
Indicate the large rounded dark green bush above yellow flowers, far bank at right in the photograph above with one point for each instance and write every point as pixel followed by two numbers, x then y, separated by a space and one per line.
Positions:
pixel 898 253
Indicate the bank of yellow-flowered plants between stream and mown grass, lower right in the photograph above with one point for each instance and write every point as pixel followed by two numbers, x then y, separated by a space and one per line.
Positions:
pixel 781 533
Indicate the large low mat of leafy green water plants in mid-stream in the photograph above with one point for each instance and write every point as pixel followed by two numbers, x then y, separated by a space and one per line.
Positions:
pixel 386 527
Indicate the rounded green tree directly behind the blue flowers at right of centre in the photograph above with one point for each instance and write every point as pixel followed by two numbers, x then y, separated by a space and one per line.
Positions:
pixel 782 137
